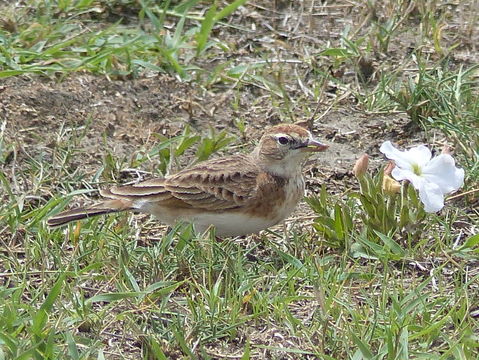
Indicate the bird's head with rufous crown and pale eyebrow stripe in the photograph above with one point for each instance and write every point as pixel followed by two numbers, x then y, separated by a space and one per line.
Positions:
pixel 283 148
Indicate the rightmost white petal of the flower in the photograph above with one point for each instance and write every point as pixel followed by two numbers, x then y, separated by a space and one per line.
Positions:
pixel 442 171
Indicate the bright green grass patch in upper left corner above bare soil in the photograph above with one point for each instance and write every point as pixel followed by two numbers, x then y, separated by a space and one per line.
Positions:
pixel 73 36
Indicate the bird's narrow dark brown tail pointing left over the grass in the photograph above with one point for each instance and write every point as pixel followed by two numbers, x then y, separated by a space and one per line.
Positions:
pixel 105 207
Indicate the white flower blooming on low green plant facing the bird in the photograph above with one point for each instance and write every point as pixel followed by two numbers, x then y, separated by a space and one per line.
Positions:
pixel 432 177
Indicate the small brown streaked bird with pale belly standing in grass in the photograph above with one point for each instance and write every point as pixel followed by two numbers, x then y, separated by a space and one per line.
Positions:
pixel 239 194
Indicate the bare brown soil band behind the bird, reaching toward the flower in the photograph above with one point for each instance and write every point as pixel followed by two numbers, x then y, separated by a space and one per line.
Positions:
pixel 127 113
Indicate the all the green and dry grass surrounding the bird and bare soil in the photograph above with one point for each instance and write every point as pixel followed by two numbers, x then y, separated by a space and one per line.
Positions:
pixel 360 282
